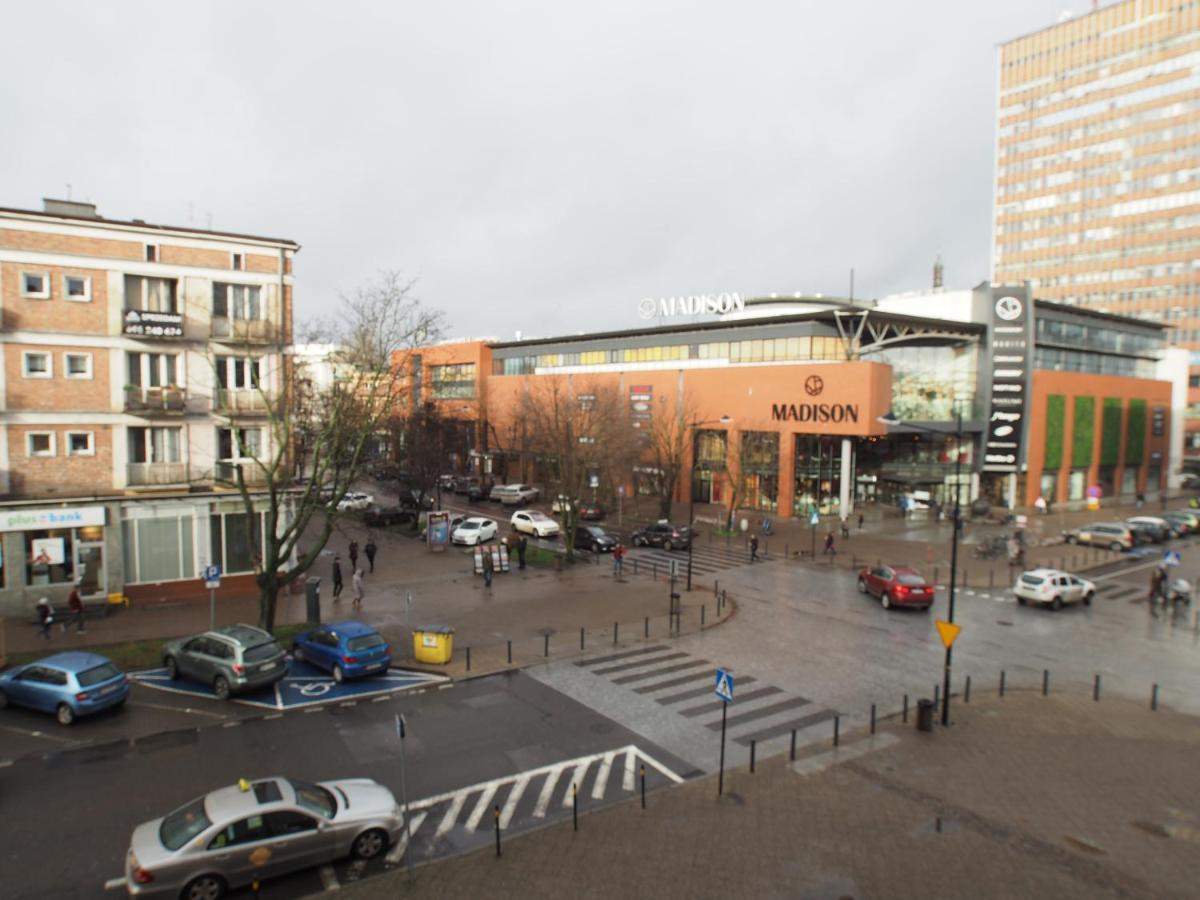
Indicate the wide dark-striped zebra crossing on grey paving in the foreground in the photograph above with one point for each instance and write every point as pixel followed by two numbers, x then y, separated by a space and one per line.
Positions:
pixel 682 685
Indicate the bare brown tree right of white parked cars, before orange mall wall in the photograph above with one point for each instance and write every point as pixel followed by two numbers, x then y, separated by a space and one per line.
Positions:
pixel 572 429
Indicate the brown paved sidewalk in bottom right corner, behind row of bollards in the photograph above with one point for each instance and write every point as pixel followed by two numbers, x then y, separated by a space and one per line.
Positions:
pixel 1025 796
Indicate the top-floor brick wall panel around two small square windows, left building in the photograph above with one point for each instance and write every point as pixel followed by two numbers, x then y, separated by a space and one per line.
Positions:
pixel 57 314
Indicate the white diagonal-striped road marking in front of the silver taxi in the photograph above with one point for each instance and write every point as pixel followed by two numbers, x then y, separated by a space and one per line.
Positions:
pixel 465 818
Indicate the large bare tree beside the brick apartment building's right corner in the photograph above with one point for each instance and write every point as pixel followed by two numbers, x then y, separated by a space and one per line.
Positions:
pixel 319 439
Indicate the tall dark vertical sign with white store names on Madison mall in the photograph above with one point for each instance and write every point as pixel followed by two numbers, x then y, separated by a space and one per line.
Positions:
pixel 1012 346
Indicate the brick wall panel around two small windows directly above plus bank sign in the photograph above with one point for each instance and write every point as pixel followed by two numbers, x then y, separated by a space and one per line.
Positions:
pixel 61 476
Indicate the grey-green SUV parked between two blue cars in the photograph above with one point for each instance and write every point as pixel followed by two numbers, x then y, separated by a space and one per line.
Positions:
pixel 231 659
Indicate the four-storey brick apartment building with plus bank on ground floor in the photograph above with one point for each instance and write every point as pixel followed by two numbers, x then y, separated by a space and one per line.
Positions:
pixel 135 362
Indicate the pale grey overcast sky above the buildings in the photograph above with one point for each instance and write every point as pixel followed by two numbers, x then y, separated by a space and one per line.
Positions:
pixel 541 166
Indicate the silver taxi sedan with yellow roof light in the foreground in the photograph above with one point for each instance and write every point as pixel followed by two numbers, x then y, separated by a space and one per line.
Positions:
pixel 259 830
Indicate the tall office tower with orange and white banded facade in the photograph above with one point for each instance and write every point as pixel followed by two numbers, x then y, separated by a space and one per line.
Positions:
pixel 1097 189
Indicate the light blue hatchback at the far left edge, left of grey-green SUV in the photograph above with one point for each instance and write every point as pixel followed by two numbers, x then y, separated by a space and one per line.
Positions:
pixel 68 685
